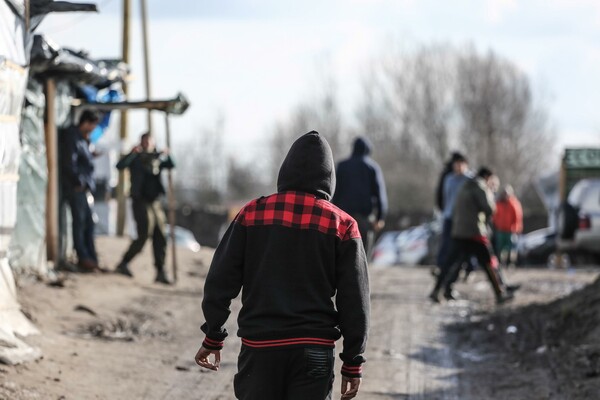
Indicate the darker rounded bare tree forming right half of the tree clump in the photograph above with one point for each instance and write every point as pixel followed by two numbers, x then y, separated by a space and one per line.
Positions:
pixel 503 125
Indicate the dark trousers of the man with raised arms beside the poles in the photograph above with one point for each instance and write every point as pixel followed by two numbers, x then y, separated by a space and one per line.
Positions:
pixel 150 223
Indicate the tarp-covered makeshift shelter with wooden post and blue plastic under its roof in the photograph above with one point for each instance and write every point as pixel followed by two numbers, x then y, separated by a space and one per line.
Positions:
pixel 60 77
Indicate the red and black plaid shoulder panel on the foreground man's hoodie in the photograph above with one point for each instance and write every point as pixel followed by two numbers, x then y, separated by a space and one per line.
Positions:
pixel 301 211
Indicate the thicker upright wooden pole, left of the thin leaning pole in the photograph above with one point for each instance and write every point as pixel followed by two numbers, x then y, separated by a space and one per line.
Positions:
pixel 121 193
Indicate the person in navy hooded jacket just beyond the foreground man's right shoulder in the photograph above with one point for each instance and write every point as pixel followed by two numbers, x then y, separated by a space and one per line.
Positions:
pixel 361 191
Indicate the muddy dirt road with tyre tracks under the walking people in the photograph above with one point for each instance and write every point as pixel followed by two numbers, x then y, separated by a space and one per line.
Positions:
pixel 110 337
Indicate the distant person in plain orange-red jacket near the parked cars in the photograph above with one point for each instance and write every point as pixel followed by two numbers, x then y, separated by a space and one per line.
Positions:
pixel 508 223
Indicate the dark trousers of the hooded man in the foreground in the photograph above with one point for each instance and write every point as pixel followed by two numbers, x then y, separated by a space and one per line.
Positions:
pixel 298 373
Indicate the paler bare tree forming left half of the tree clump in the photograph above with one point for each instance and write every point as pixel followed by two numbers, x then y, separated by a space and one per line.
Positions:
pixel 407 112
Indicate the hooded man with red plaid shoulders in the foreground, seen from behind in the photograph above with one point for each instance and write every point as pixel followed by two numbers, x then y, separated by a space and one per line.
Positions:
pixel 301 266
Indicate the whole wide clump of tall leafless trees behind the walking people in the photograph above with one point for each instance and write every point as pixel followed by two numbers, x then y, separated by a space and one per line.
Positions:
pixel 419 105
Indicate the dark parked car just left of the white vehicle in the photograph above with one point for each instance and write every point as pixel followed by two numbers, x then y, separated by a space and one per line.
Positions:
pixel 537 247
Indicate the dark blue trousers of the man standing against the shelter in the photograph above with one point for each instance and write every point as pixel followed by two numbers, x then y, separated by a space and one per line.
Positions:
pixel 83 226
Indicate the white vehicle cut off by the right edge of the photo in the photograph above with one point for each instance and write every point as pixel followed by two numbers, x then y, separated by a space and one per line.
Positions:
pixel 579 218
